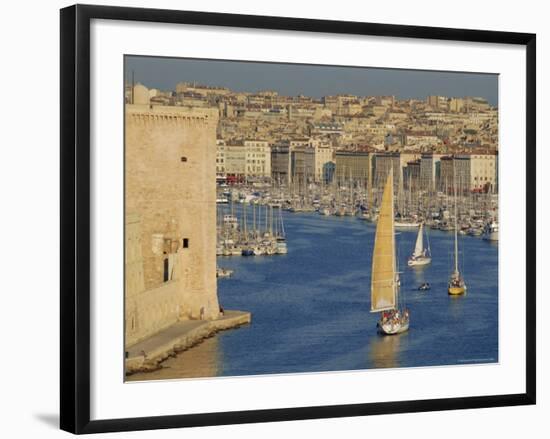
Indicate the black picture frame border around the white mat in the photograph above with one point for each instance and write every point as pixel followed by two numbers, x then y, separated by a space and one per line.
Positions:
pixel 75 217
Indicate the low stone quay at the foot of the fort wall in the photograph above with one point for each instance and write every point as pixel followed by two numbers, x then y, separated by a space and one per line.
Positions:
pixel 148 354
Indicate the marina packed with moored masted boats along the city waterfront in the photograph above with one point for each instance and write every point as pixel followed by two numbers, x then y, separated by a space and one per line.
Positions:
pixel 250 220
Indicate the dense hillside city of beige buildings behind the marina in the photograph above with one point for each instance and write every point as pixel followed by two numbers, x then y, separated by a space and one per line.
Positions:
pixel 264 137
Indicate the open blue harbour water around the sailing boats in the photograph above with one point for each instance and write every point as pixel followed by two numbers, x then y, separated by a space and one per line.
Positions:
pixel 311 307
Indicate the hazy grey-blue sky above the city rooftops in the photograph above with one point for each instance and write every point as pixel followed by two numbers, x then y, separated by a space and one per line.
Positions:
pixel 310 80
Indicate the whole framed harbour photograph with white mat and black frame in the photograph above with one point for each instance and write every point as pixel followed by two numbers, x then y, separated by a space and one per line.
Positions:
pixel 273 218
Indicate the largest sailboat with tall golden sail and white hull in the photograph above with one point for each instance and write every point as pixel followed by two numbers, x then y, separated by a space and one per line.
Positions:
pixel 385 278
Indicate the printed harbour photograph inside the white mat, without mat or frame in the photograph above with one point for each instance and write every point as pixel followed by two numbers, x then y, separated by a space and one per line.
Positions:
pixel 284 218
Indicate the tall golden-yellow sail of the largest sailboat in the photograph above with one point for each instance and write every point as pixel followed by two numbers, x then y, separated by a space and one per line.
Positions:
pixel 383 284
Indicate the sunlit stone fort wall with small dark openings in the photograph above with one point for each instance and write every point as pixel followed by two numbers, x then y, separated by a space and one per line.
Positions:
pixel 170 170
